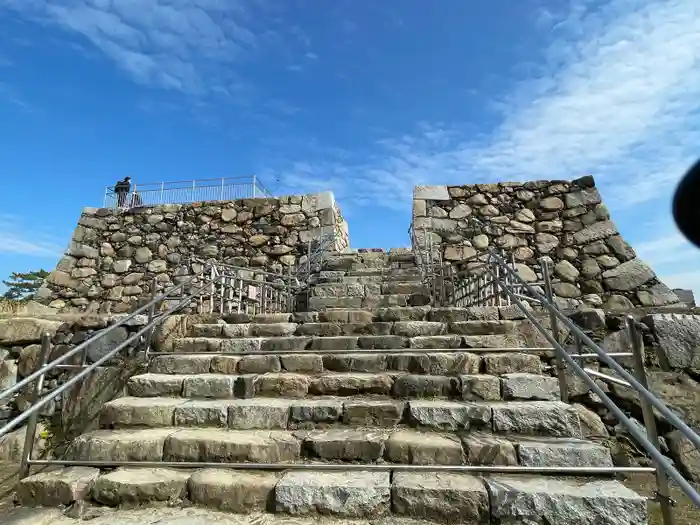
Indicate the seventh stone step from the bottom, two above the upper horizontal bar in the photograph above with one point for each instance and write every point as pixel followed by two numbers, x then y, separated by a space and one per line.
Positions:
pixel 402 328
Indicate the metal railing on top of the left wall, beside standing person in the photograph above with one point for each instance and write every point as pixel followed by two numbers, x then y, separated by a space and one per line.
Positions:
pixel 187 191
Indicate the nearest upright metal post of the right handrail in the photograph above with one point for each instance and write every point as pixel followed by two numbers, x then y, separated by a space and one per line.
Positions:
pixel 663 491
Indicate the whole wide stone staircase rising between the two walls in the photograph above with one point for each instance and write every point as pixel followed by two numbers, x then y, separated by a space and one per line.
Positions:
pixel 363 379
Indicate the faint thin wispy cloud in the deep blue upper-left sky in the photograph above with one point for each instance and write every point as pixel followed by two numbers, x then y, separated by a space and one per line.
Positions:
pixel 178 45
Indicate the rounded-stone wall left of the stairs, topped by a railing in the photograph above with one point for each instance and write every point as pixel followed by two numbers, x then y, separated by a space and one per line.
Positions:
pixel 115 254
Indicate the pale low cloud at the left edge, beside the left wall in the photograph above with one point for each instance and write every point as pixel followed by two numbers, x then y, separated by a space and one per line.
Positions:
pixel 16 238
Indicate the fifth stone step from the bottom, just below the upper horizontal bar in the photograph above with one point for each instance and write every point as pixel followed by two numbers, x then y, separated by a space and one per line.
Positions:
pixel 436 363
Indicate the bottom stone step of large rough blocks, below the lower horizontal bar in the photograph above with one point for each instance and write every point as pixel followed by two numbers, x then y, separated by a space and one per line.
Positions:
pixel 313 496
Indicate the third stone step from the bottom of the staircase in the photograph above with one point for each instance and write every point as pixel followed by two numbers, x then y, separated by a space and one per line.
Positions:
pixel 537 418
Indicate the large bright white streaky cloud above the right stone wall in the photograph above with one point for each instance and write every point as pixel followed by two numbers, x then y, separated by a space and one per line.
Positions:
pixel 615 95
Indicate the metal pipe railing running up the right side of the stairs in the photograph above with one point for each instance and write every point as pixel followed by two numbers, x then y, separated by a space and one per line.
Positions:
pixel 502 273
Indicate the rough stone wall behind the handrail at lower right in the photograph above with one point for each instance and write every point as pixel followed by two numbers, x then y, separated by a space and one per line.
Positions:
pixel 673 370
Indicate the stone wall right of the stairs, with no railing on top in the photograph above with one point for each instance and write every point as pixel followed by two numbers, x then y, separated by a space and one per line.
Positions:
pixel 565 220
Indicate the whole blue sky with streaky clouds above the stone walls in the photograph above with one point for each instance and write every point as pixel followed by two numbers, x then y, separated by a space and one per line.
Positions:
pixel 361 97
